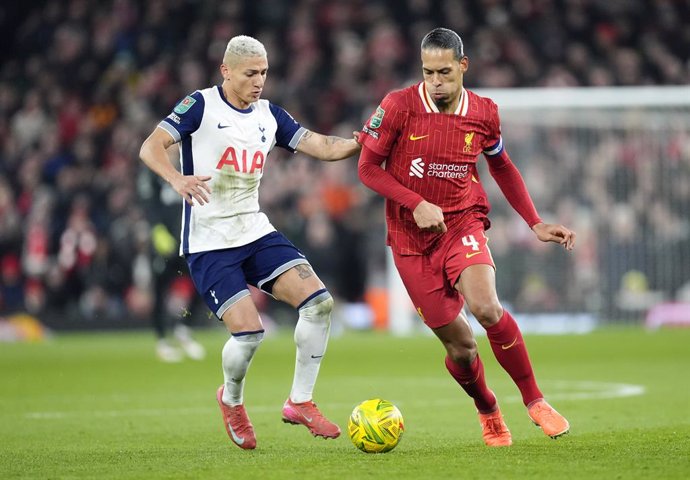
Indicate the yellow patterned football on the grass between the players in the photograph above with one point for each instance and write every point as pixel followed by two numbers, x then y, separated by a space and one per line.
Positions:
pixel 375 426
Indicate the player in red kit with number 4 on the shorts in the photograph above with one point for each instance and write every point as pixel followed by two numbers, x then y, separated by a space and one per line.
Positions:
pixel 430 135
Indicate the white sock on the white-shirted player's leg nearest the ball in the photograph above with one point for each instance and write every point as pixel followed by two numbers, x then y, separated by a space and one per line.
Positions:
pixel 311 338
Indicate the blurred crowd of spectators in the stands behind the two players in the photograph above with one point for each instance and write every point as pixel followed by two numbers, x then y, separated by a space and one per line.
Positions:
pixel 89 236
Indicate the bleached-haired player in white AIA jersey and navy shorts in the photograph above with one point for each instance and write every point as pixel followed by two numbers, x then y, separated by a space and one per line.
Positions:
pixel 225 134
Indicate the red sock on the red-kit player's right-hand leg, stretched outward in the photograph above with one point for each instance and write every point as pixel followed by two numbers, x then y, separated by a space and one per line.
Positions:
pixel 510 351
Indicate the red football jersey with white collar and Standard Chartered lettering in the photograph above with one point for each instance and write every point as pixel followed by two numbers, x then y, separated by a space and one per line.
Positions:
pixel 433 154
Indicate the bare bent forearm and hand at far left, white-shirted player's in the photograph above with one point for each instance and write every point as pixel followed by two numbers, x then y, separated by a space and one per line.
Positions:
pixel 153 154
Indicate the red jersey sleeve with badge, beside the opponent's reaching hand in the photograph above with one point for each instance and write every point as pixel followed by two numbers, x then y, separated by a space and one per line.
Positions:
pixel 381 131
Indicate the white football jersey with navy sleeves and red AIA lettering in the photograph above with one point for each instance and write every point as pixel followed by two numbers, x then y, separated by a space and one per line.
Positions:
pixel 231 146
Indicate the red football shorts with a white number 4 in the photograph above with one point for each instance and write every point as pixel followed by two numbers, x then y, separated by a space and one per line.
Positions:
pixel 429 279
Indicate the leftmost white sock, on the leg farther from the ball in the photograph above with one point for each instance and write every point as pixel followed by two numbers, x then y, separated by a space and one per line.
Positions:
pixel 237 356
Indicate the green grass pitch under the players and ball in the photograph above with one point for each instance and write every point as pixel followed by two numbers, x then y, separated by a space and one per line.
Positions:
pixel 101 406
